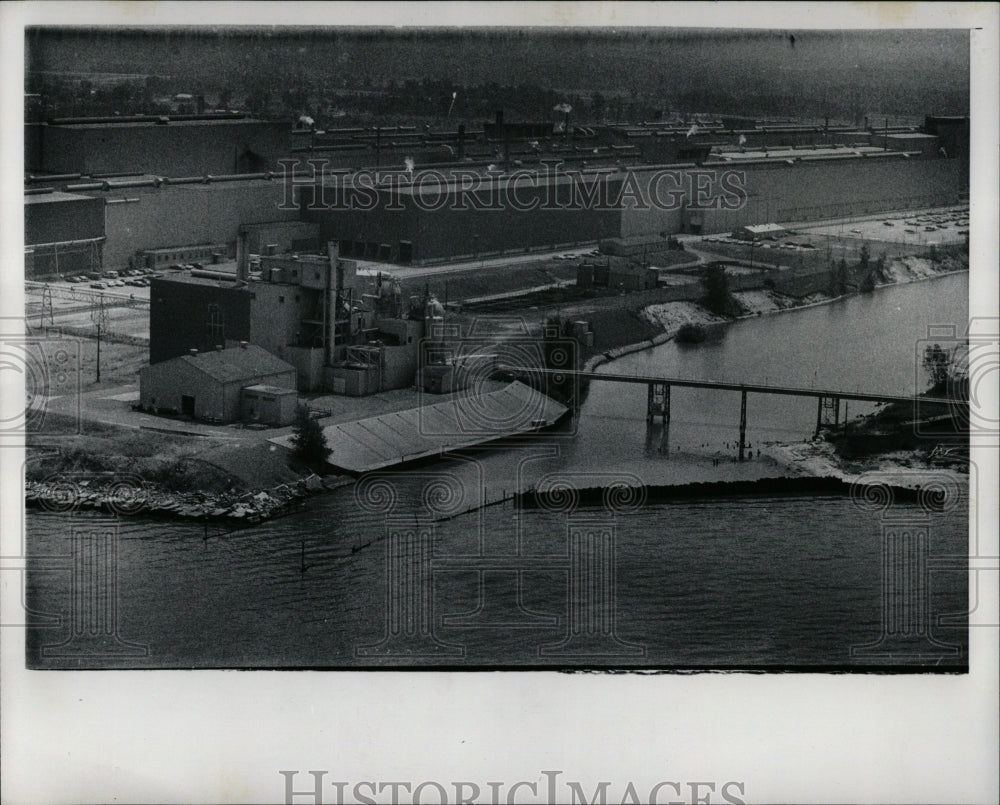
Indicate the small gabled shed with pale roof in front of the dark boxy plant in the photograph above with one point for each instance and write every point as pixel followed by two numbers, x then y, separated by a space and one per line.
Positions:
pixel 222 386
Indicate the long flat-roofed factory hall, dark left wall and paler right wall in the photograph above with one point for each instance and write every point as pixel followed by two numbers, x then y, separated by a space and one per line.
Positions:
pixel 429 221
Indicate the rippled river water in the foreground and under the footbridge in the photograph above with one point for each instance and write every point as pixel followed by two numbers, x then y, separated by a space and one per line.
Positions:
pixel 772 581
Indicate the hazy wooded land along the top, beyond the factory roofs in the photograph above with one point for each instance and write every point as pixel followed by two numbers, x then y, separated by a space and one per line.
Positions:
pixel 346 76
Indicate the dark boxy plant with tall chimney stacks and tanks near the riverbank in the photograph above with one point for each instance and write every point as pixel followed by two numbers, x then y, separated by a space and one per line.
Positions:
pixel 342 332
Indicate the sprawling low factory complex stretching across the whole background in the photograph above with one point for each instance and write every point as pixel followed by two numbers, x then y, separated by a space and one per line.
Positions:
pixel 792 173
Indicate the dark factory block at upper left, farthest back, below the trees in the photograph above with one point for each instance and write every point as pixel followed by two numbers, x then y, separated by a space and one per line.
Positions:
pixel 174 149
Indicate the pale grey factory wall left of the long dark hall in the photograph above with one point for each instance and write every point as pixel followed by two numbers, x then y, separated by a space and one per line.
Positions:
pixel 186 214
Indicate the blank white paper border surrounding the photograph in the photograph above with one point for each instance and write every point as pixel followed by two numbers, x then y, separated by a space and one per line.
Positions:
pixel 223 736
